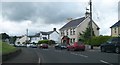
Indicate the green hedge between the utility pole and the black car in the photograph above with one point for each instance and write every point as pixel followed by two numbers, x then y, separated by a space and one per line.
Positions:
pixel 97 41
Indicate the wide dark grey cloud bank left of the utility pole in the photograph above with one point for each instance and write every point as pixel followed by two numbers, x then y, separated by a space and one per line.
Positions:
pixel 50 12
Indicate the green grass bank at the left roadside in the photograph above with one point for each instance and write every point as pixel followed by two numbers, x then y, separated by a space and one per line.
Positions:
pixel 6 48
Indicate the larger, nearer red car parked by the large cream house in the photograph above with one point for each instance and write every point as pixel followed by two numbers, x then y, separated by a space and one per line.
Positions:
pixel 76 46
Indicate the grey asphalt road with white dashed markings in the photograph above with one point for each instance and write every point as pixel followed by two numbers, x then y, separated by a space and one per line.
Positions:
pixel 51 55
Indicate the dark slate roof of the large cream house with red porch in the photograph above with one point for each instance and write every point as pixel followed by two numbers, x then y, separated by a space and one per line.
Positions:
pixel 73 23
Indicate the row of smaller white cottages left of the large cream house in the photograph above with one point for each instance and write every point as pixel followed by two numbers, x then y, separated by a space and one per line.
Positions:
pixel 51 35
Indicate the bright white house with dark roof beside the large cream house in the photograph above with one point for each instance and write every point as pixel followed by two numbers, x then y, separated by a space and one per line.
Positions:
pixel 51 35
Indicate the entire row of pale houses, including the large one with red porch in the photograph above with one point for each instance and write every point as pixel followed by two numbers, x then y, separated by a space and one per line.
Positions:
pixel 69 33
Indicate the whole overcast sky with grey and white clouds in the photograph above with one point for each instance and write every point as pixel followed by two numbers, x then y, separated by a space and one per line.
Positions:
pixel 44 15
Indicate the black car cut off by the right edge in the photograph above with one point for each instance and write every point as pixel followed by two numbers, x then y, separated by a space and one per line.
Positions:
pixel 112 45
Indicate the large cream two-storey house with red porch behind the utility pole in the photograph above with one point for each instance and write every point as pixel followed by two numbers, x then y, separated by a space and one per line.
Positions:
pixel 70 32
